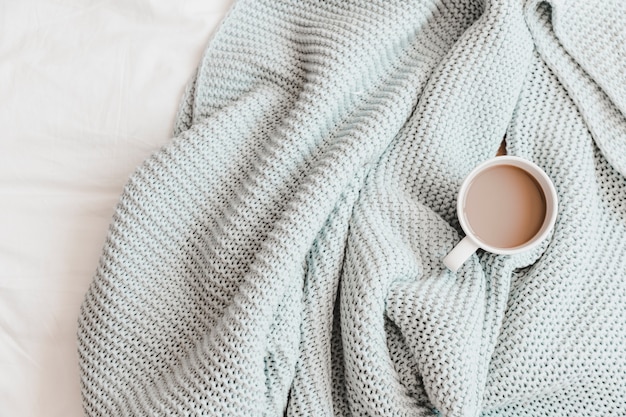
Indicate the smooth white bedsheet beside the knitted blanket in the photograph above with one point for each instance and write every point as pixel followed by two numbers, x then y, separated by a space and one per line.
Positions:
pixel 88 89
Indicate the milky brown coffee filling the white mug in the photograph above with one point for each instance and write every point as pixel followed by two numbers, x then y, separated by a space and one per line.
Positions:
pixel 505 207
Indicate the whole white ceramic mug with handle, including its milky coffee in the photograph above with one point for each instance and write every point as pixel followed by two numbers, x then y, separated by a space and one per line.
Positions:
pixel 501 200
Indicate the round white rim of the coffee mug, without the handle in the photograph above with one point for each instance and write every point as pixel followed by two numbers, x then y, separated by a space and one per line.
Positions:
pixel 547 188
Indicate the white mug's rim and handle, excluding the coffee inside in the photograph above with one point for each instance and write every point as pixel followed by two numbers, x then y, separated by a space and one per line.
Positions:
pixel 464 249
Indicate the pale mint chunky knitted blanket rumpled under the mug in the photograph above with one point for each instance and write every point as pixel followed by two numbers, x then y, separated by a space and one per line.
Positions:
pixel 283 254
